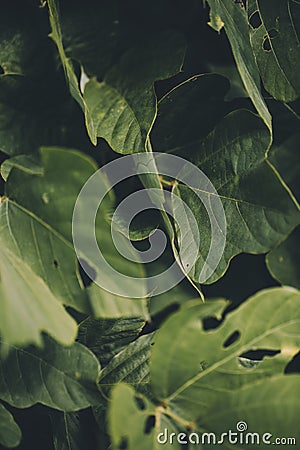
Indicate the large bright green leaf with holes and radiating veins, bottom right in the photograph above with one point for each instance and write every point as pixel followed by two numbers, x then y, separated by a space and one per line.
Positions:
pixel 201 382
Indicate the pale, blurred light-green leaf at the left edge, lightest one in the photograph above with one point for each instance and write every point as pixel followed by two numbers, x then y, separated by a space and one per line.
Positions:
pixel 27 305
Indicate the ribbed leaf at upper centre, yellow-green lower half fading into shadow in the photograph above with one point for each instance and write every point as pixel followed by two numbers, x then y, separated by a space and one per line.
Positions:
pixel 123 106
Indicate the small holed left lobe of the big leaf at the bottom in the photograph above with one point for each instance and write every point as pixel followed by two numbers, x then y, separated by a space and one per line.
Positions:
pixel 132 426
